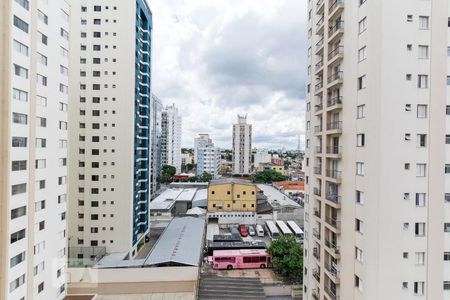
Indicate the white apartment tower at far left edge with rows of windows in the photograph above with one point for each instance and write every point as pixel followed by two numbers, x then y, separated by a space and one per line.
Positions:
pixel 33 124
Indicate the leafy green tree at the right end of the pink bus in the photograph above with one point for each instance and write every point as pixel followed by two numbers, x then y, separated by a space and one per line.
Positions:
pixel 287 258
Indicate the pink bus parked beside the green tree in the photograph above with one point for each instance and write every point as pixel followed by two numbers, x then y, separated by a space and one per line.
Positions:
pixel 240 259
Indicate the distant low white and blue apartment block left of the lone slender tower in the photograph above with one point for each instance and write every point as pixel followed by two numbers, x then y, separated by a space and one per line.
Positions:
pixel 208 156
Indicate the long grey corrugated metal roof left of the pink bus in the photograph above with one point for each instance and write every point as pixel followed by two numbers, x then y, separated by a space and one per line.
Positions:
pixel 181 243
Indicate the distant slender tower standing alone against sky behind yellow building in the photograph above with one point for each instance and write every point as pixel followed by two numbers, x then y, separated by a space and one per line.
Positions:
pixel 242 146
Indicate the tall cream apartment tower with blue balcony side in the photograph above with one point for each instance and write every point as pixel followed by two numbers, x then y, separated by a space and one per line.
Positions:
pixel 110 131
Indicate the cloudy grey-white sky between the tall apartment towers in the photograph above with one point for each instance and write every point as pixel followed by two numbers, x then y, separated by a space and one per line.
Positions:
pixel 218 58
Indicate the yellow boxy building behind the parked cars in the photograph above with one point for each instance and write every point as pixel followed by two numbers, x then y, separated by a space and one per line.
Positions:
pixel 231 196
